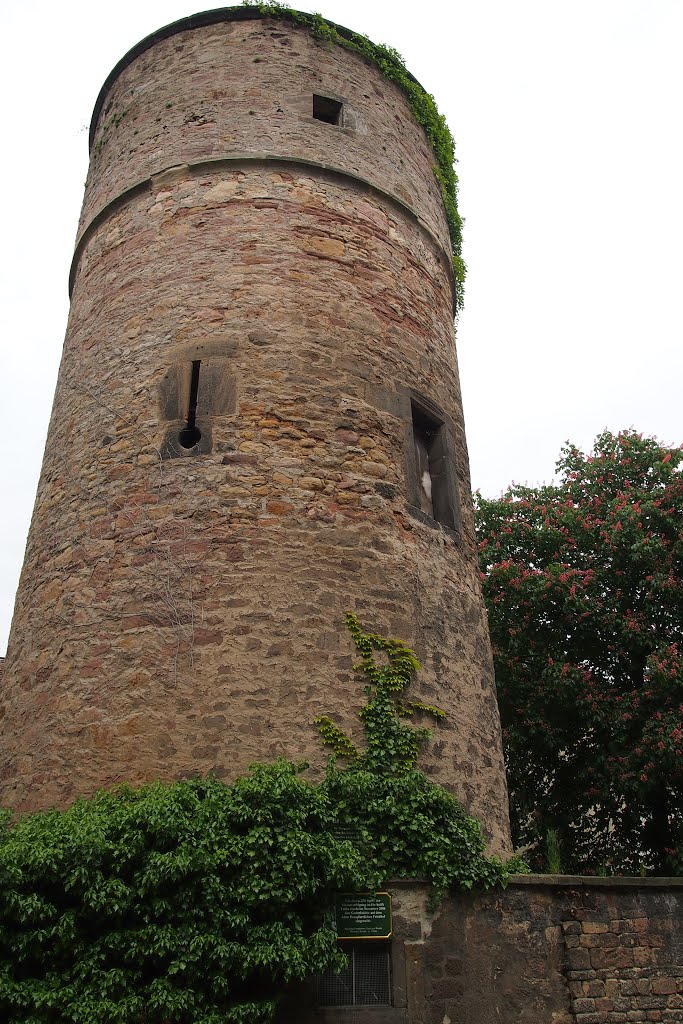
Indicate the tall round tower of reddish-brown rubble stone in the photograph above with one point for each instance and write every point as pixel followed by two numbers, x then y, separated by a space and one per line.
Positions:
pixel 258 428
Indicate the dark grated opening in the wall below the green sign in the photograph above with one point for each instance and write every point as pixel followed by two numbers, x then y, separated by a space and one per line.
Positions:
pixel 365 983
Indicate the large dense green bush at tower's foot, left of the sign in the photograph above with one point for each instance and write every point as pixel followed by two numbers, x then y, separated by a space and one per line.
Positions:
pixel 192 903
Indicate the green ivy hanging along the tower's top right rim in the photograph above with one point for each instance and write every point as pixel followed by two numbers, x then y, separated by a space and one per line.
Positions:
pixel 422 104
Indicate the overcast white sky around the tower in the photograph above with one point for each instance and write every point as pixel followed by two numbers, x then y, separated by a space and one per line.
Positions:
pixel 568 121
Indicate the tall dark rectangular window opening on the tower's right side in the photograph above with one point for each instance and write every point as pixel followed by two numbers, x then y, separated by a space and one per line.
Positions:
pixel 432 467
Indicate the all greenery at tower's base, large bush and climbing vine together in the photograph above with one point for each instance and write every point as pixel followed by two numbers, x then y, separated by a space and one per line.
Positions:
pixel 200 903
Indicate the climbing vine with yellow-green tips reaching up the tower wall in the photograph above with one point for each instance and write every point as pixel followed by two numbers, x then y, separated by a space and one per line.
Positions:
pixel 408 826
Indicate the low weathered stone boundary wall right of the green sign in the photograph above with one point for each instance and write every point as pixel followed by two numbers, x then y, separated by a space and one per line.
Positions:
pixel 548 950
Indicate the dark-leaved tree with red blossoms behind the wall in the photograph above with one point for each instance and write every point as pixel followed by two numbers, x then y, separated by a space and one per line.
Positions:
pixel 584 585
